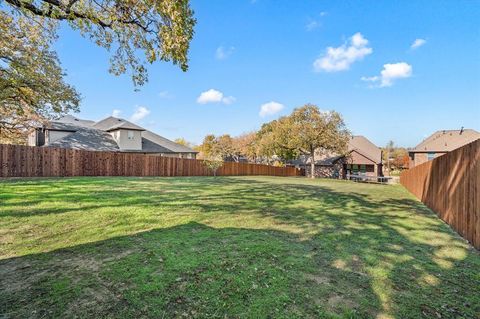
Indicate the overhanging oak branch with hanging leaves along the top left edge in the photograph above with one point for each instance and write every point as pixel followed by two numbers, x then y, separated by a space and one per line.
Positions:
pixel 136 31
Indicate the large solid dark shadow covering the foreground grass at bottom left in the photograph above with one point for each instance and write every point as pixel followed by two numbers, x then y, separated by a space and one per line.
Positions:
pixel 186 271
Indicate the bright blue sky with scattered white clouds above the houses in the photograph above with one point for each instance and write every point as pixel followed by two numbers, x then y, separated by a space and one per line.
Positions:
pixel 249 53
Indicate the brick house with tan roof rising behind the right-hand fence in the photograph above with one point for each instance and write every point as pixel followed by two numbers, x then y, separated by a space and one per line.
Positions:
pixel 439 143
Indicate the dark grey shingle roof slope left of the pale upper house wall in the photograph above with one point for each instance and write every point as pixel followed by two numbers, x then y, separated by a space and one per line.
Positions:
pixel 87 139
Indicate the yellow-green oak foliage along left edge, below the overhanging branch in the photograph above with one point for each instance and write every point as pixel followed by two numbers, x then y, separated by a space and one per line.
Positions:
pixel 32 86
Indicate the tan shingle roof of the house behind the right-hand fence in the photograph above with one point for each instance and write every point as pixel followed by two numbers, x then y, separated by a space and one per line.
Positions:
pixel 446 140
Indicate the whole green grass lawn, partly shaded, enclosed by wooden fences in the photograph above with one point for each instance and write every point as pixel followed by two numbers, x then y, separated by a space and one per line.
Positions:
pixel 228 247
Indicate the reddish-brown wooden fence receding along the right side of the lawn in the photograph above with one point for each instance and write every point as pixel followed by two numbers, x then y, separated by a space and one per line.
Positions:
pixel 450 186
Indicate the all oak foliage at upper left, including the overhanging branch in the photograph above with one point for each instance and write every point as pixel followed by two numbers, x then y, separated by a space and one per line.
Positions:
pixel 137 32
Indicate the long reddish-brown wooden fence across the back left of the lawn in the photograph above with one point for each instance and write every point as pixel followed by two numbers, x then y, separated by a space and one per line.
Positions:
pixel 31 161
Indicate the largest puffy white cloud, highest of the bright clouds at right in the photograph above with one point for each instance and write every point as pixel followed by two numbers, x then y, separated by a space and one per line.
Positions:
pixel 340 58
